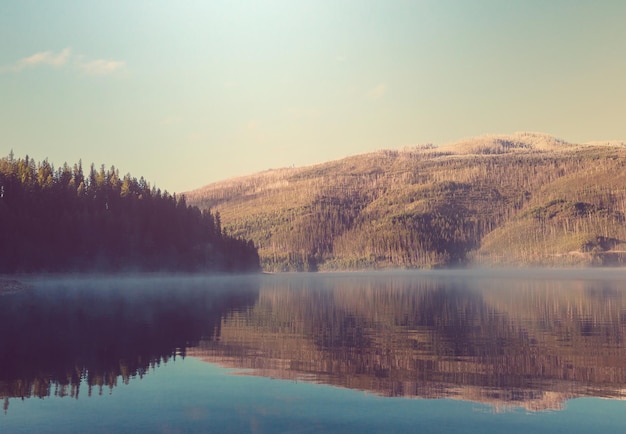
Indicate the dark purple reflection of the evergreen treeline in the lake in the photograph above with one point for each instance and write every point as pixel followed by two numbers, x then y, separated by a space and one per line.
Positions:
pixel 60 335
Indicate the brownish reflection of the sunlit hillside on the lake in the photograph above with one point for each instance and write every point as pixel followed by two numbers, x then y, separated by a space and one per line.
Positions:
pixel 525 342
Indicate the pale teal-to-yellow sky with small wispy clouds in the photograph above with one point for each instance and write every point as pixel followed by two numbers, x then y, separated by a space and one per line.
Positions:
pixel 186 93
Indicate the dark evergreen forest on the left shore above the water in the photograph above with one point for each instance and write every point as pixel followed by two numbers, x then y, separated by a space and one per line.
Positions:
pixel 65 220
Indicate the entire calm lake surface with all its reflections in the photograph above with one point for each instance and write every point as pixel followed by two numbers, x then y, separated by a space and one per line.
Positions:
pixel 412 352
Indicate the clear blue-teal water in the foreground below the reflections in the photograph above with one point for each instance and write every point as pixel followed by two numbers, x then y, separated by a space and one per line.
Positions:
pixel 191 396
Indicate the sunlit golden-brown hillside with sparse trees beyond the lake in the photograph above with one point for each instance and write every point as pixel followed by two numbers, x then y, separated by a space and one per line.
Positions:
pixel 523 199
